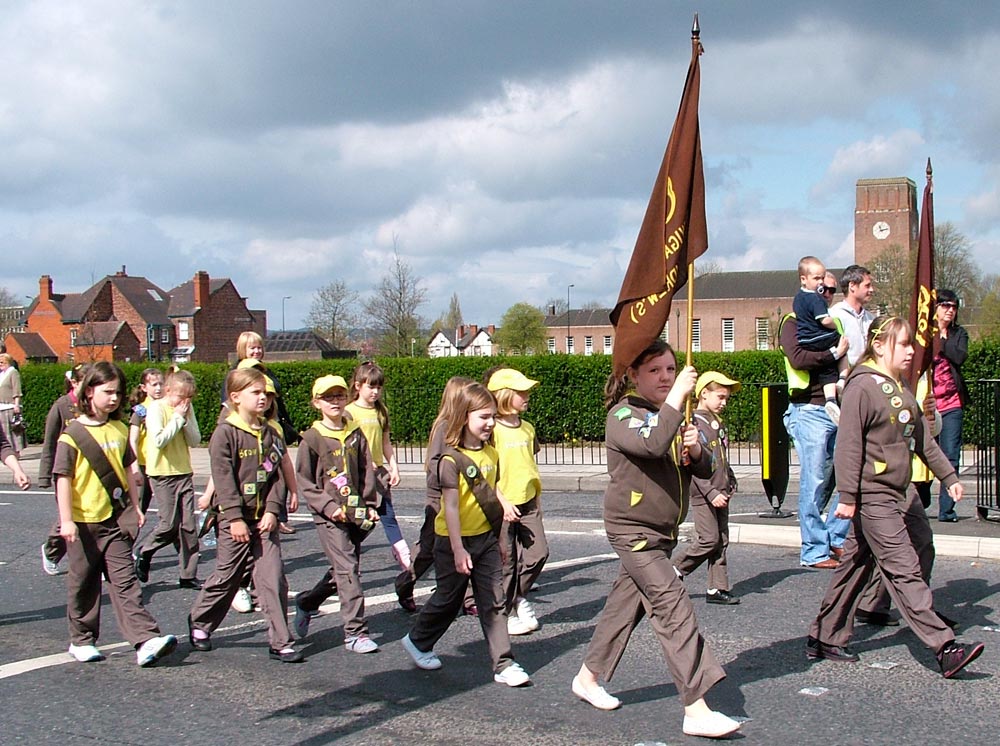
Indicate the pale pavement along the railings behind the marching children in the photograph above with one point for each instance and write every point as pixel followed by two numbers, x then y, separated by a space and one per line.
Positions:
pixel 751 519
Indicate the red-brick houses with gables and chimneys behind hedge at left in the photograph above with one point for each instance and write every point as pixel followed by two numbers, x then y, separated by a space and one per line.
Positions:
pixel 128 318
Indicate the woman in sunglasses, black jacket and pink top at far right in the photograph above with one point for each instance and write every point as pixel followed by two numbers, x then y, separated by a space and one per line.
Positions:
pixel 951 348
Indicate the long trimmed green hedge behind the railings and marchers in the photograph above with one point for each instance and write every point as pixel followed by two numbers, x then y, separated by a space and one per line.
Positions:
pixel 566 407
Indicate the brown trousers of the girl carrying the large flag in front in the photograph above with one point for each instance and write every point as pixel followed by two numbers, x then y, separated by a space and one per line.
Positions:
pixel 647 584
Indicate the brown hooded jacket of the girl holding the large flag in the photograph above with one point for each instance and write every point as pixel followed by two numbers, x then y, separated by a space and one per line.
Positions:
pixel 647 496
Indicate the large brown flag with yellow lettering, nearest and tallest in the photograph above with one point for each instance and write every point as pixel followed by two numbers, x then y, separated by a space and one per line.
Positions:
pixel 673 233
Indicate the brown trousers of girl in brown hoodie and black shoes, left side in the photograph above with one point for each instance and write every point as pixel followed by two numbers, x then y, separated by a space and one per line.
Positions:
pixel 213 601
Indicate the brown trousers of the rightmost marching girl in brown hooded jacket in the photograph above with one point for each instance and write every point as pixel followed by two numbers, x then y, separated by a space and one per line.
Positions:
pixel 879 539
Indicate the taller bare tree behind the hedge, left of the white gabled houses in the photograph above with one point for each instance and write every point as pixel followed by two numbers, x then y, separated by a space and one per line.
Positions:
pixel 393 307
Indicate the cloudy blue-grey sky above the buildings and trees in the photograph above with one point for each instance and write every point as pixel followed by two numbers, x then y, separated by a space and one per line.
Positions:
pixel 506 150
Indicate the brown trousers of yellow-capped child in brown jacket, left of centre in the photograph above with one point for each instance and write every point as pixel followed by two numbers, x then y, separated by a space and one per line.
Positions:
pixel 341 543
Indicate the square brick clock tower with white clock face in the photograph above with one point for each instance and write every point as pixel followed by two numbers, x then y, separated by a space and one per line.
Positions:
pixel 885 215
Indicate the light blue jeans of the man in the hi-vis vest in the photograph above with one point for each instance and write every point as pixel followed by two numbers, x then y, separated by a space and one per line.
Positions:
pixel 815 434
